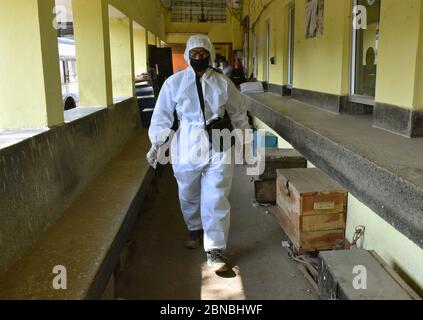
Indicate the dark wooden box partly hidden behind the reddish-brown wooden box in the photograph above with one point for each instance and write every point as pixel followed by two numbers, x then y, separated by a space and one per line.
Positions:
pixel 265 184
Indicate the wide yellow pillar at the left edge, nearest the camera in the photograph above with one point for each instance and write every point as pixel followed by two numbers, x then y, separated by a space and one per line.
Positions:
pixel 30 89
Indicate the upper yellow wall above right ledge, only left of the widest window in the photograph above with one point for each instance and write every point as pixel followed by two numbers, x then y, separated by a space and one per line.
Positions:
pixel 320 64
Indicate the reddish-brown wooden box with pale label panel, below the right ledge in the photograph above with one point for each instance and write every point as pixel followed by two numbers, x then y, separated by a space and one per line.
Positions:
pixel 312 209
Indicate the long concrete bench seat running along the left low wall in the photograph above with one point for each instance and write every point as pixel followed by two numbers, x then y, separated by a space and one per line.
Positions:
pixel 89 236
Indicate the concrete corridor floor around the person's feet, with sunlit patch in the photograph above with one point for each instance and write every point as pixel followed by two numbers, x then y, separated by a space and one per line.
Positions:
pixel 160 268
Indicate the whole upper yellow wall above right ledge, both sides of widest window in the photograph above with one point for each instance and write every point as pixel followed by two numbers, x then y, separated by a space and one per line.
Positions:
pixel 323 63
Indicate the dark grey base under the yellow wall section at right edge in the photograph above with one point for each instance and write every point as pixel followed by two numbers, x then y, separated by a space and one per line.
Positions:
pixel 402 121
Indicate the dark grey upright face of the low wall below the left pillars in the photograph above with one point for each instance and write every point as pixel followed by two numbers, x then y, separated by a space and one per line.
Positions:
pixel 41 175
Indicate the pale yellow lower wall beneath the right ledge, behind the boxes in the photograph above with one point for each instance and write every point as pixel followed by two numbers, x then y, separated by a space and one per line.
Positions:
pixel 397 250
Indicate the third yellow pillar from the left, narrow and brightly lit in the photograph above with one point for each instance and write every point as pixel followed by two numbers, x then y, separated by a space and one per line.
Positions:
pixel 121 46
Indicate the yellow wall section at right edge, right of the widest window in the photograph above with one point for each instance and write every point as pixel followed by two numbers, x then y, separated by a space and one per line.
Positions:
pixel 398 44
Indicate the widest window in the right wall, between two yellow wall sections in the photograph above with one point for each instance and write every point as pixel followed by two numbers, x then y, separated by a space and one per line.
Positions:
pixel 364 55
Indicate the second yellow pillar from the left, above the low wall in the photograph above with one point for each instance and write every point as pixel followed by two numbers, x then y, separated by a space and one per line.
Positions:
pixel 91 24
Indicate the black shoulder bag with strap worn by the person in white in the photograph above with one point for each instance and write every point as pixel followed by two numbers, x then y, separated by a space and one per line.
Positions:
pixel 216 124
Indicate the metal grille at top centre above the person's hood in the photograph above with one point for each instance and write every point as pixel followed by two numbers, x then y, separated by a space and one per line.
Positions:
pixel 212 11
